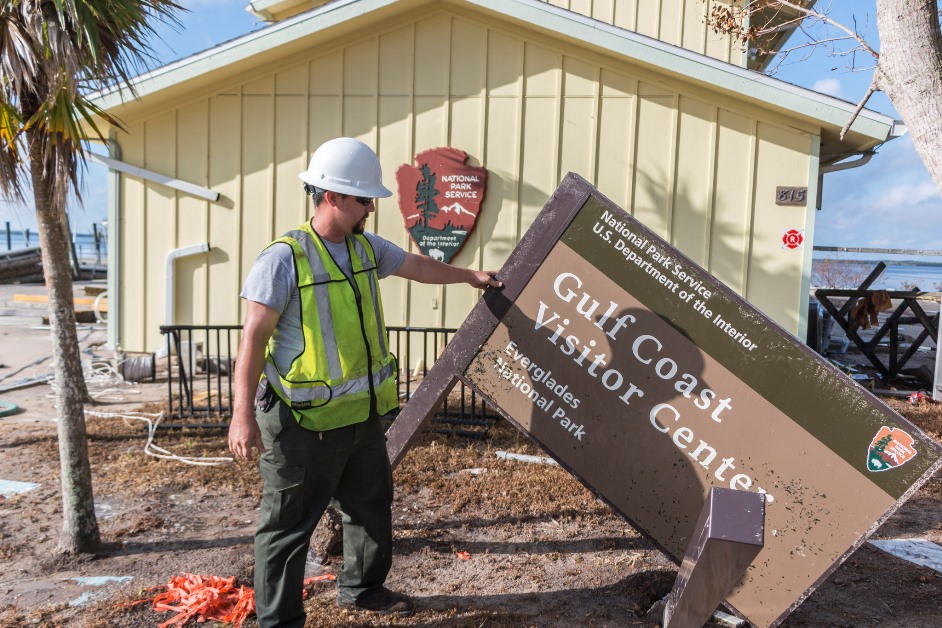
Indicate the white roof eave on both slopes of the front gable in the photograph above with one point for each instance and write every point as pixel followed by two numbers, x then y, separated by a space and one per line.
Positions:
pixel 826 111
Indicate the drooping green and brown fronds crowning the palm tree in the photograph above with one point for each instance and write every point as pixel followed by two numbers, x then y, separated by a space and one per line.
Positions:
pixel 53 53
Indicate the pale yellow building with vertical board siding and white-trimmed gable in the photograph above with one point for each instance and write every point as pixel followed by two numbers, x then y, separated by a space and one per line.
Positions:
pixel 639 97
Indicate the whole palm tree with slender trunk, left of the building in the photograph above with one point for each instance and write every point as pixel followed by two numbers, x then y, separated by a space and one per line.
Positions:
pixel 53 53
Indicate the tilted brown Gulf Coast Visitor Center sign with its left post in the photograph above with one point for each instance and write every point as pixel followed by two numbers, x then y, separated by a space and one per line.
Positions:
pixel 652 382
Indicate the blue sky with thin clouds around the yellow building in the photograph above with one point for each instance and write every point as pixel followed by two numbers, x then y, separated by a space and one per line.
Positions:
pixel 886 204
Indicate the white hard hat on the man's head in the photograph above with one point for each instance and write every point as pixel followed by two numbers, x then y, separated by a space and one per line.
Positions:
pixel 348 166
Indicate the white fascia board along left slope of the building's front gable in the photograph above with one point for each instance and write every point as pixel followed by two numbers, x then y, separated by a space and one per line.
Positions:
pixel 264 40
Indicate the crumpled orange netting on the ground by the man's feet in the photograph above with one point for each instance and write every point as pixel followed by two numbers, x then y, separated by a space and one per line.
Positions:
pixel 210 598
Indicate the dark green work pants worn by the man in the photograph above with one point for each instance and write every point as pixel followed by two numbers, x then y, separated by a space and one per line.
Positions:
pixel 302 472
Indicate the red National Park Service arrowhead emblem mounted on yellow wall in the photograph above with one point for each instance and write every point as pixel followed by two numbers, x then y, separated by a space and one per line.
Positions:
pixel 440 200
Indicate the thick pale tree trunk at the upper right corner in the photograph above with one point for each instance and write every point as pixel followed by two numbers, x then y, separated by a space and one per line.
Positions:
pixel 909 72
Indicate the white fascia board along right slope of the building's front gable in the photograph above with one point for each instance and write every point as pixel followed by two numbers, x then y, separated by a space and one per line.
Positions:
pixel 725 76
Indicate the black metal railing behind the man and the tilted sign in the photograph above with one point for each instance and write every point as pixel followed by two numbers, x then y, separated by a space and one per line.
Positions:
pixel 200 360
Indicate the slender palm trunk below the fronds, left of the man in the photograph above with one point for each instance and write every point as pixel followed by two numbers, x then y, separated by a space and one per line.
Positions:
pixel 80 527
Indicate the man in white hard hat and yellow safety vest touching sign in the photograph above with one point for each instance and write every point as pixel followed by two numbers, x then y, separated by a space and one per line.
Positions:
pixel 313 376
